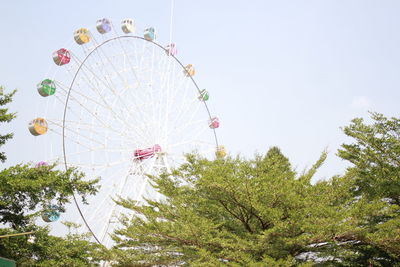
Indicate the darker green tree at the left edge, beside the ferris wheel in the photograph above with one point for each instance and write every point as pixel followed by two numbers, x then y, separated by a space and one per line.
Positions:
pixel 25 191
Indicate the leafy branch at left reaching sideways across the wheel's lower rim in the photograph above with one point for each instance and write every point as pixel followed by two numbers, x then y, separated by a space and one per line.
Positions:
pixel 24 190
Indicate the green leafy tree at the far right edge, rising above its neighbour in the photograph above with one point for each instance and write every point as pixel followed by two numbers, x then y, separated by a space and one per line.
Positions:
pixel 361 223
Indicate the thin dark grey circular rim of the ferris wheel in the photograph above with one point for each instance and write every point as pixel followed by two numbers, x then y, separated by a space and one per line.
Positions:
pixel 80 65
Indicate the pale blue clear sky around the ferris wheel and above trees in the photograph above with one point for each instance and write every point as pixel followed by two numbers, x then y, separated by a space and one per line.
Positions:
pixel 280 73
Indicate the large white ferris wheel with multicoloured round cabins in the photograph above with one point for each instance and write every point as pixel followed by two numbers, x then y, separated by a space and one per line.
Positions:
pixel 124 108
